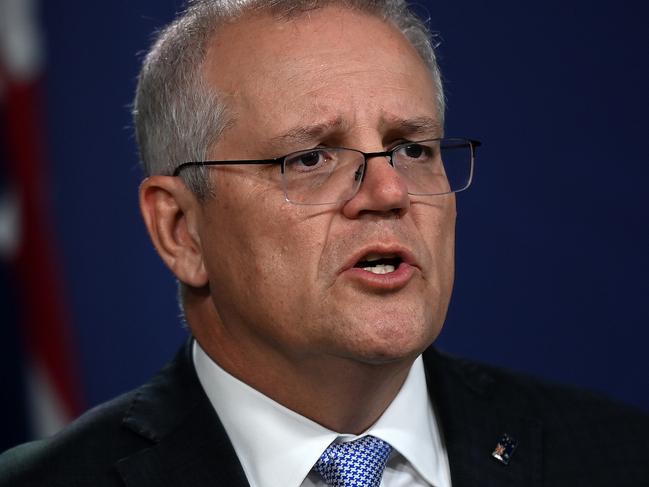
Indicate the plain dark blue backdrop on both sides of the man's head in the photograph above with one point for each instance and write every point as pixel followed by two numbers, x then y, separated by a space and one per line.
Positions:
pixel 553 239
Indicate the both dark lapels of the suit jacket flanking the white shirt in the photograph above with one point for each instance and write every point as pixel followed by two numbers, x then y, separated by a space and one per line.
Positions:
pixel 189 447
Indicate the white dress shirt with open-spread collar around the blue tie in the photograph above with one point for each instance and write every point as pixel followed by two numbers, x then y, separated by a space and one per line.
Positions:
pixel 278 447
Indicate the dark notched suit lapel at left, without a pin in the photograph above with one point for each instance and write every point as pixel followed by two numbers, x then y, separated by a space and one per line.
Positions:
pixel 189 446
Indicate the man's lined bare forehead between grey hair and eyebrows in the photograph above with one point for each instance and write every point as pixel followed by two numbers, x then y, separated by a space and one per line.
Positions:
pixel 330 66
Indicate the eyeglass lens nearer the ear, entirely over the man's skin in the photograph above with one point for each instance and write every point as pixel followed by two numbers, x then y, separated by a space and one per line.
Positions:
pixel 322 176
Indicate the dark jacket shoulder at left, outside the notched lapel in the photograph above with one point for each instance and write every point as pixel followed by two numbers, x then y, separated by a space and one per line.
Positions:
pixel 82 454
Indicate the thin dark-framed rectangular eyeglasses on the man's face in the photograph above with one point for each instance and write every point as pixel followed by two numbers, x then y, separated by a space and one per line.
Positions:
pixel 328 175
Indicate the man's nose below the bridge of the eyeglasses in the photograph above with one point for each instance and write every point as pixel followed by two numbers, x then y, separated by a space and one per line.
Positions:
pixel 383 191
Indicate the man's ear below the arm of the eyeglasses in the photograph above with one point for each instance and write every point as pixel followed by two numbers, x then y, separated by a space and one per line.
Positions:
pixel 171 212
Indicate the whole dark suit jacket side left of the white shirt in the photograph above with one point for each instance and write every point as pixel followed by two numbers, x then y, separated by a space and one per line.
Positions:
pixel 166 432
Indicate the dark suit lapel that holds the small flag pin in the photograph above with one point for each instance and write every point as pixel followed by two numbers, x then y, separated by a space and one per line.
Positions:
pixel 473 419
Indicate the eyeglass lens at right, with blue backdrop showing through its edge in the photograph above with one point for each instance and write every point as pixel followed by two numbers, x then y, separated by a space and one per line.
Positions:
pixel 435 166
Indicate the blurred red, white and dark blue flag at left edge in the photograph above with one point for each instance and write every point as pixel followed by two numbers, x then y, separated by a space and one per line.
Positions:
pixel 41 384
